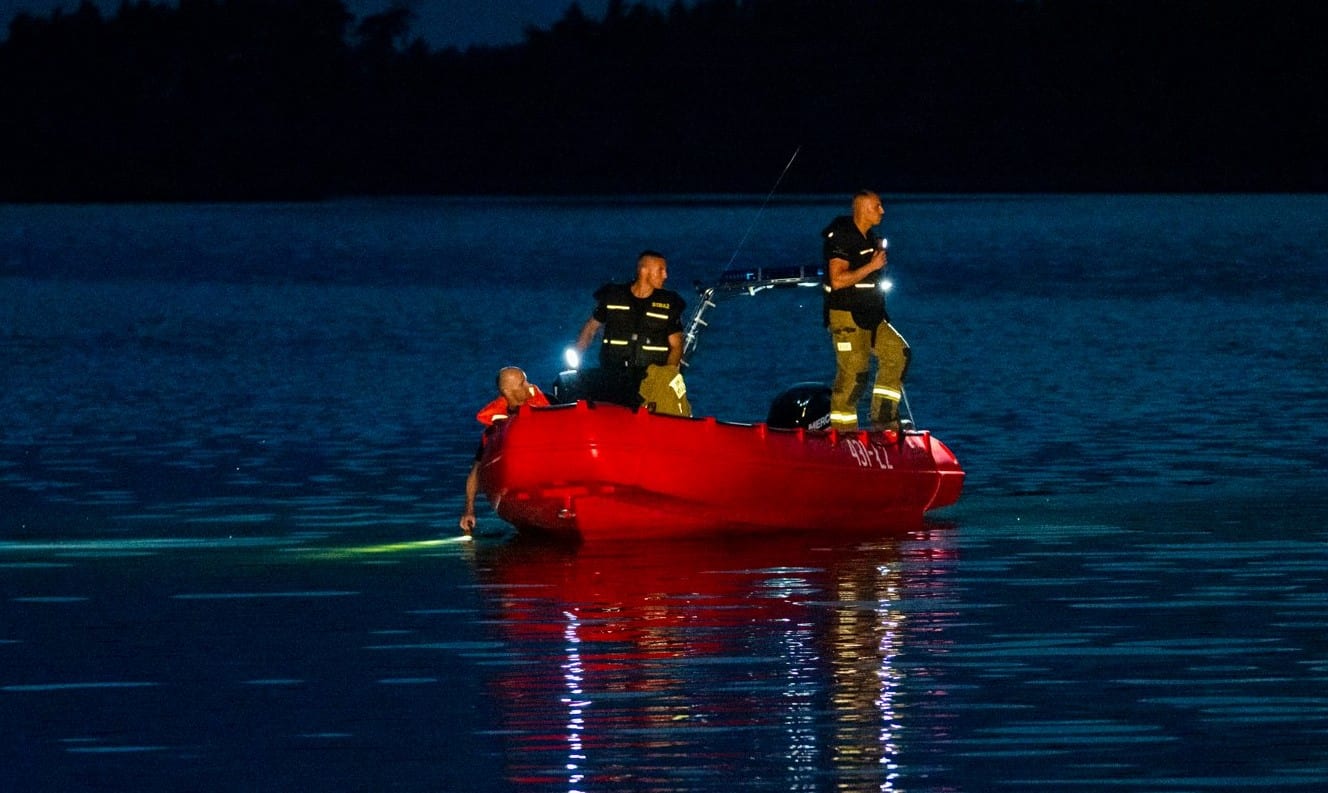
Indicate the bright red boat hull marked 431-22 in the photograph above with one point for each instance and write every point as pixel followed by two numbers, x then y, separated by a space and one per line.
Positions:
pixel 602 471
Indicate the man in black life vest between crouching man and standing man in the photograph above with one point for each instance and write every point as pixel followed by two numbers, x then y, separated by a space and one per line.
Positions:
pixel 642 347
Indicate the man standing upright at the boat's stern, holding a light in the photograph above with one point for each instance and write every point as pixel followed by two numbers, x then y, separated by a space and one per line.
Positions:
pixel 856 317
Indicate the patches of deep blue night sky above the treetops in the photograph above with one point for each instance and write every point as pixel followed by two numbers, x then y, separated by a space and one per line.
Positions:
pixel 440 23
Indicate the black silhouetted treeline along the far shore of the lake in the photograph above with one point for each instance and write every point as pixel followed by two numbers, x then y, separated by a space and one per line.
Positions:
pixel 290 99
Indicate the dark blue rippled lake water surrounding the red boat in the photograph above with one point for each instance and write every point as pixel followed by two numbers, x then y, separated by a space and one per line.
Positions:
pixel 234 440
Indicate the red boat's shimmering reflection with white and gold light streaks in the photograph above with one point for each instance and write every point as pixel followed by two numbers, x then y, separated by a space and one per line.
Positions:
pixel 679 665
